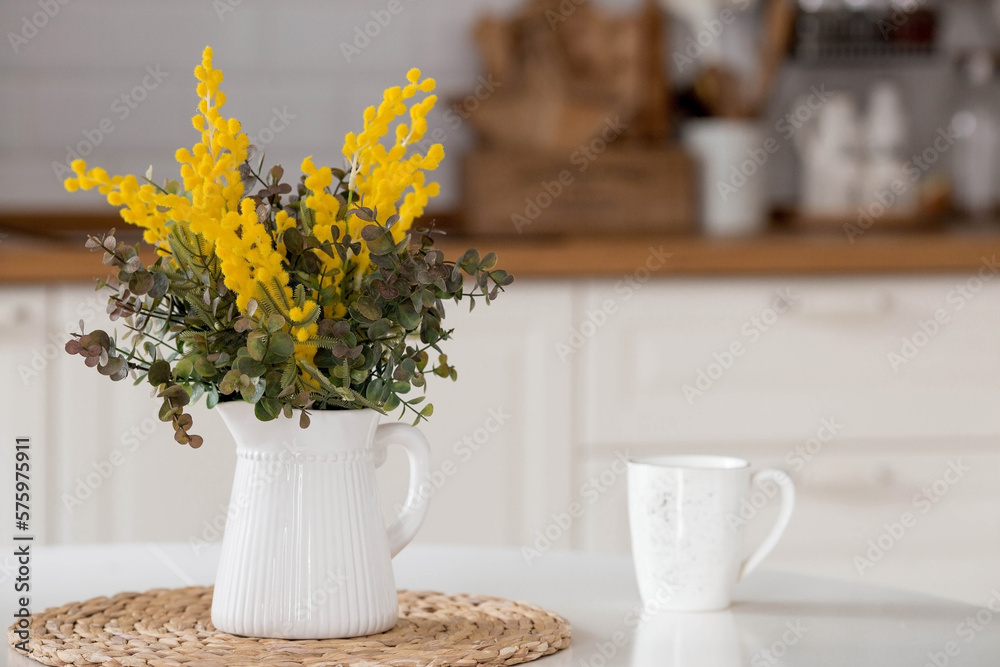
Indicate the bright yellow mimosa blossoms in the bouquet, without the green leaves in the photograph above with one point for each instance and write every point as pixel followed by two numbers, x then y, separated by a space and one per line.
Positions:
pixel 209 204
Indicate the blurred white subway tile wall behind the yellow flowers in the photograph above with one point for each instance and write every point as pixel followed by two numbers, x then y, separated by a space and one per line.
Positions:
pixel 112 80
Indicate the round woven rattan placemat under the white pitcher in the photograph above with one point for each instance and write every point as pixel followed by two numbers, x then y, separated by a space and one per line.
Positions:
pixel 172 628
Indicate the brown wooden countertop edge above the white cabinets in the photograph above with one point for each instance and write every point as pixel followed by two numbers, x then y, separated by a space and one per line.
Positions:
pixel 61 258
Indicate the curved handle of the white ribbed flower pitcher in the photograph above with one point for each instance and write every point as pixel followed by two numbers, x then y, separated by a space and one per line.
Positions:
pixel 405 527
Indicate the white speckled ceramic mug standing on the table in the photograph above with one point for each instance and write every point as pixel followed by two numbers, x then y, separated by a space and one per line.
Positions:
pixel 687 529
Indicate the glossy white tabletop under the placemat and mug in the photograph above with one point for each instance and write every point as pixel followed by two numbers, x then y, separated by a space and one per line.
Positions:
pixel 777 619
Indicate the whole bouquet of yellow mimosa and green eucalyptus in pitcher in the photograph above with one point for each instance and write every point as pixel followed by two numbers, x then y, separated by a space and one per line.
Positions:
pixel 323 296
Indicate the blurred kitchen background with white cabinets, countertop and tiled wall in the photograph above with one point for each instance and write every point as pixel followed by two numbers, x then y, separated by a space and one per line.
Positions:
pixel 755 227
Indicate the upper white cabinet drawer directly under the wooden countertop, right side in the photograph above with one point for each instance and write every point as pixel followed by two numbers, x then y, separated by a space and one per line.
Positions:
pixel 708 360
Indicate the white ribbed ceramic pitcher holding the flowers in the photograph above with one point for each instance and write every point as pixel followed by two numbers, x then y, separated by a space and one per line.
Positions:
pixel 306 554
